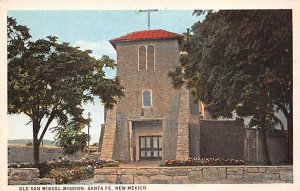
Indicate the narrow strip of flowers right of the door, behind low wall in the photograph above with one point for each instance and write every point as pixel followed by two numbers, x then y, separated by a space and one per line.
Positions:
pixel 205 161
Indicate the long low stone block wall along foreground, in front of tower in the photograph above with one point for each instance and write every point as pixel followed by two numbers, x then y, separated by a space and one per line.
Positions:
pixel 195 175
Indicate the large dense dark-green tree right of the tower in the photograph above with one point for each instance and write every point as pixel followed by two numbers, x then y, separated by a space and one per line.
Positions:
pixel 241 62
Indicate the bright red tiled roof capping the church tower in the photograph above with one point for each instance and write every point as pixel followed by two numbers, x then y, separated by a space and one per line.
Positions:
pixel 146 35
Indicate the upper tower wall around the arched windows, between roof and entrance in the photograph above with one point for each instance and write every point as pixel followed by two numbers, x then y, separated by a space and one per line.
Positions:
pixel 156 81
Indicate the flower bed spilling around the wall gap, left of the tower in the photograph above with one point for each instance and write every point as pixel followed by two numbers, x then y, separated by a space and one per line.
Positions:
pixel 65 171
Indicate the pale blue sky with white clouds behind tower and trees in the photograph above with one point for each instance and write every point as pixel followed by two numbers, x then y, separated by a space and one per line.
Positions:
pixel 91 30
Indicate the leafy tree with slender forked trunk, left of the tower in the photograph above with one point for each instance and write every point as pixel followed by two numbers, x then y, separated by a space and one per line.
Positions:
pixel 49 80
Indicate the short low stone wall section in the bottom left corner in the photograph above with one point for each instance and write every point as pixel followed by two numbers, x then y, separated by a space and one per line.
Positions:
pixel 26 176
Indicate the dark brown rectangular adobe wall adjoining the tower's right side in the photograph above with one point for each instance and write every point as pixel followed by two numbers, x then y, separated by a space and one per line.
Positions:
pixel 223 139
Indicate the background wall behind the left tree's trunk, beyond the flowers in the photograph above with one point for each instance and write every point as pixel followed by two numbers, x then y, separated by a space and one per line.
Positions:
pixel 22 153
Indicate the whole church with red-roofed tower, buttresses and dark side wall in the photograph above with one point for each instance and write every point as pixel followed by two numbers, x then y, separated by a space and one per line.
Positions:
pixel 154 121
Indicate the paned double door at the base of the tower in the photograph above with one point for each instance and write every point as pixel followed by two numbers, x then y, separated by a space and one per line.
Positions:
pixel 151 147
